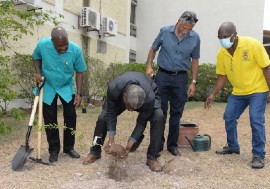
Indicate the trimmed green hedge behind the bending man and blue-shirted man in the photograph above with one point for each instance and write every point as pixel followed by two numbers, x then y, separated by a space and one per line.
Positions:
pixel 100 77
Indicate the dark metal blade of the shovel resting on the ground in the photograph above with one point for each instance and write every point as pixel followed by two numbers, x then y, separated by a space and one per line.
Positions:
pixel 20 157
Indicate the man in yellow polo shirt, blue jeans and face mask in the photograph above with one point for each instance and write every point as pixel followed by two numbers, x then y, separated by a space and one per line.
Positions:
pixel 244 62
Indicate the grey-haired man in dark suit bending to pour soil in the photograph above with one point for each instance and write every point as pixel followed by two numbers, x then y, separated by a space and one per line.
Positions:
pixel 133 91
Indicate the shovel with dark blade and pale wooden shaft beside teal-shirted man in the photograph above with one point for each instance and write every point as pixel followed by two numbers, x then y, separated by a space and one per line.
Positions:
pixel 24 152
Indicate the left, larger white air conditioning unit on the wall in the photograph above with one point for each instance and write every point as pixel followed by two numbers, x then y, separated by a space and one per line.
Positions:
pixel 90 18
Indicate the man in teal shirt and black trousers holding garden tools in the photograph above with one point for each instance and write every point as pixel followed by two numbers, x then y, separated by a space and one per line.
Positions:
pixel 57 59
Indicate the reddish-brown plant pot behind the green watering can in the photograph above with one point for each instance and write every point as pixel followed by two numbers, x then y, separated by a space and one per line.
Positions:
pixel 189 130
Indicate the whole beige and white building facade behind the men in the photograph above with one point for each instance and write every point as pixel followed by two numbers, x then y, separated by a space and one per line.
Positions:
pixel 139 21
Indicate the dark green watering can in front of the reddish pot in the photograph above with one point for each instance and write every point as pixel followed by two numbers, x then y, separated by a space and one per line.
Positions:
pixel 201 142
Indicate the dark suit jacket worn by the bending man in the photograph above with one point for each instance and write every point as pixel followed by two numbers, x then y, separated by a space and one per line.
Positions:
pixel 115 102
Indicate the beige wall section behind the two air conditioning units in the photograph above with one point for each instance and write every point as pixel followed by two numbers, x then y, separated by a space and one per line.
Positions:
pixel 116 9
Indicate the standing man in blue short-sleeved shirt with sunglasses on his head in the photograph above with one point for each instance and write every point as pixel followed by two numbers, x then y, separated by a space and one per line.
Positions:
pixel 179 51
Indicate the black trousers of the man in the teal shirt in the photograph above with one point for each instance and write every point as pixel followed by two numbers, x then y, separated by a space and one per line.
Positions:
pixel 51 124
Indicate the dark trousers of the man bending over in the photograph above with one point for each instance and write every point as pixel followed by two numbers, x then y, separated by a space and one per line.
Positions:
pixel 157 125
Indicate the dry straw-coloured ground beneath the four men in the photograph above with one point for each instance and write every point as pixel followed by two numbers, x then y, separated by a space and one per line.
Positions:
pixel 191 170
